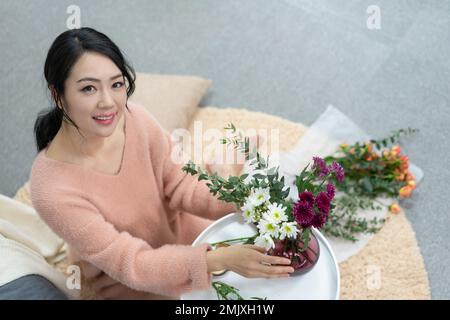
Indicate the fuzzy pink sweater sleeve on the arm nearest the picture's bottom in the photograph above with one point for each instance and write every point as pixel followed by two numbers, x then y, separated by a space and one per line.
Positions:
pixel 168 270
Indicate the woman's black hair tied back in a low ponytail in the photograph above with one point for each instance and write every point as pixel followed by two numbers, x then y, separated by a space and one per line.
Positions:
pixel 64 52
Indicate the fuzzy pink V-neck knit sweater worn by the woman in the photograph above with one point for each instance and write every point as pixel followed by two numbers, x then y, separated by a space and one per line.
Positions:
pixel 135 226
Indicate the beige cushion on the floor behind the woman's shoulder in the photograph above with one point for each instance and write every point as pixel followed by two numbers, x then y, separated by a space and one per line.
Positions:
pixel 171 99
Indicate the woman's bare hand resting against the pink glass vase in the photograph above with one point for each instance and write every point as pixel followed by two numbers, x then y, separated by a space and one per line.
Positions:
pixel 249 261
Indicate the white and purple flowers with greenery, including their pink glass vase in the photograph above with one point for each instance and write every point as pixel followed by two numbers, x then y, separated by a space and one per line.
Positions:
pixel 283 225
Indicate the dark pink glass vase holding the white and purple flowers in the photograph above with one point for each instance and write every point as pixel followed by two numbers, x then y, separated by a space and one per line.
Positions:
pixel 302 259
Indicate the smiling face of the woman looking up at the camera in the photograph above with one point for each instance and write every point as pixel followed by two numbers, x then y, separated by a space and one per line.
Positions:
pixel 95 88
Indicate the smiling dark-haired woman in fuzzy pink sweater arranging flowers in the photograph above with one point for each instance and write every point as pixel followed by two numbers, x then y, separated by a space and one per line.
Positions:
pixel 104 180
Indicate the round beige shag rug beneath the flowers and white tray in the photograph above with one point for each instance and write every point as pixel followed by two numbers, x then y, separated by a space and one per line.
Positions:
pixel 389 267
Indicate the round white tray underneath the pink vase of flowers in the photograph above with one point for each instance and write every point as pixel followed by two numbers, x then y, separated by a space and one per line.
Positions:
pixel 322 282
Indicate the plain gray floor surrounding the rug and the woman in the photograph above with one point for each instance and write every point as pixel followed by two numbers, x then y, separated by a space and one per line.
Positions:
pixel 289 58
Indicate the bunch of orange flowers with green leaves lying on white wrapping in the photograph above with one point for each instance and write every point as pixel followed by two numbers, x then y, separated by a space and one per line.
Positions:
pixel 375 170
